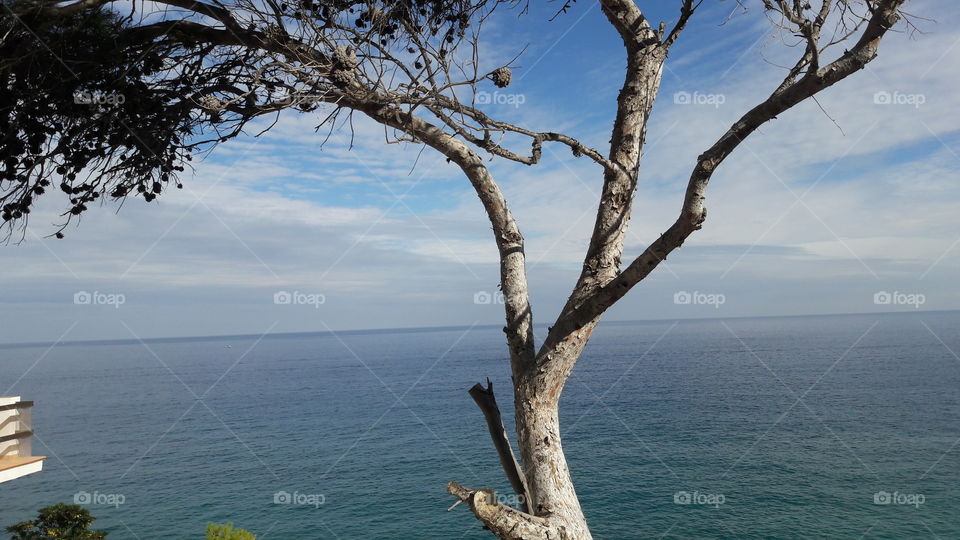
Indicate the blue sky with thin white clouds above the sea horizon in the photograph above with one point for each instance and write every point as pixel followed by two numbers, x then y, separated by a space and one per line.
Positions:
pixel 844 205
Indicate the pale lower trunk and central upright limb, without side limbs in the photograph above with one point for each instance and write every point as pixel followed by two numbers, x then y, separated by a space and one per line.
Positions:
pixel 537 389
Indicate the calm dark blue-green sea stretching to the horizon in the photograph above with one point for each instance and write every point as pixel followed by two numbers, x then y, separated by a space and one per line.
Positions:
pixel 788 427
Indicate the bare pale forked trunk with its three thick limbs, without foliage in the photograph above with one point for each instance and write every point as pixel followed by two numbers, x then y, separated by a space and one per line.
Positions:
pixel 553 508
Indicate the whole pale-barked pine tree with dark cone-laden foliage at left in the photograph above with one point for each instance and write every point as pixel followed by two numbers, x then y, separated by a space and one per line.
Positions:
pixel 194 76
